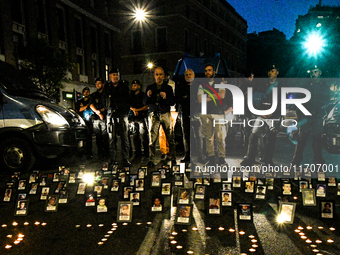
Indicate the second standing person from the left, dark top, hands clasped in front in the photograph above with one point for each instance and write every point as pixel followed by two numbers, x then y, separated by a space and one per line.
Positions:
pixel 98 104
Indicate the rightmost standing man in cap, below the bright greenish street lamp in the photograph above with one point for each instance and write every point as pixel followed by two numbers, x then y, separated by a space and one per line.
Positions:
pixel 312 125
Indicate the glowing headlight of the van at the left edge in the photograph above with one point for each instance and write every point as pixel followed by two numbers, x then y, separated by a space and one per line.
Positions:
pixel 51 117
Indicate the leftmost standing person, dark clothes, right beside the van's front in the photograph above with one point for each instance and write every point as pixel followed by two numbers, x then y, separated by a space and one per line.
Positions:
pixel 83 108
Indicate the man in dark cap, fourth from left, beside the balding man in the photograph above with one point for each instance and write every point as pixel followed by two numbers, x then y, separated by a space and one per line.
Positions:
pixel 137 116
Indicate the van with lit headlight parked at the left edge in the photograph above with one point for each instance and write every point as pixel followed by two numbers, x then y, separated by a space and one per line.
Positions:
pixel 31 126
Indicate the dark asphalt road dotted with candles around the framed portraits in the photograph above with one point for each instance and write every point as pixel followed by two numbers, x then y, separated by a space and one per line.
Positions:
pixel 78 229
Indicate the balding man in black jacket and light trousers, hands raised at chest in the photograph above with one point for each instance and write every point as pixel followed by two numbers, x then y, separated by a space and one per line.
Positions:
pixel 159 97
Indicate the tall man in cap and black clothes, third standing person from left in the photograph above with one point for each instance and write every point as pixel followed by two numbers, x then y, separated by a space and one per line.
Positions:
pixel 118 92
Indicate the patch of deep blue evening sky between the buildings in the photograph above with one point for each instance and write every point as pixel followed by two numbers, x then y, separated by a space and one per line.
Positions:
pixel 263 15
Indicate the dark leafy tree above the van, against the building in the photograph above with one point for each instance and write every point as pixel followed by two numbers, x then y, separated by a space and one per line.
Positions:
pixel 46 66
